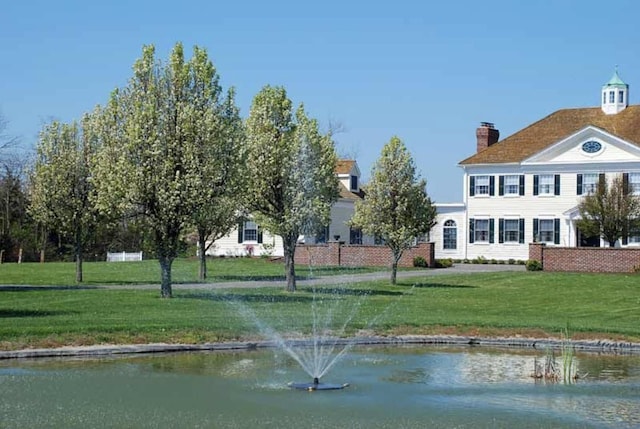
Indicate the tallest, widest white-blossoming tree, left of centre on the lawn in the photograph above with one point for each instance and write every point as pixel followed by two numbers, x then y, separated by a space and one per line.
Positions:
pixel 153 161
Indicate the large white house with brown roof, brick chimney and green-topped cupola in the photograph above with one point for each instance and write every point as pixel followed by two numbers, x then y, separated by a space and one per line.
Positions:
pixel 526 187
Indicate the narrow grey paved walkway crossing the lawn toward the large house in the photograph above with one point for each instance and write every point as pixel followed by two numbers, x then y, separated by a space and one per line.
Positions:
pixel 337 279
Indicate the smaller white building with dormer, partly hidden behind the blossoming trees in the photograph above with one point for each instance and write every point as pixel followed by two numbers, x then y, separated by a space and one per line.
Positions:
pixel 249 238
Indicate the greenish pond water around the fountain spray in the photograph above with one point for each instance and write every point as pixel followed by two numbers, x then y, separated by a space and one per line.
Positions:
pixel 389 387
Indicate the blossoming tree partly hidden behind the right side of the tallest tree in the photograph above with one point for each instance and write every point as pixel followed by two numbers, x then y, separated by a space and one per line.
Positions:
pixel 217 132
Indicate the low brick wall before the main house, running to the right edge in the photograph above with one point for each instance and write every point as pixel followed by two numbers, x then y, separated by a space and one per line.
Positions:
pixel 586 259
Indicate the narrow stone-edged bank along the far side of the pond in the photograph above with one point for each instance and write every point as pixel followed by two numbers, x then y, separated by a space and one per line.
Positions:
pixel 589 346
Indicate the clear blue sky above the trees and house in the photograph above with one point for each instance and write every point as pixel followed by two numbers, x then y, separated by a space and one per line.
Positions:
pixel 428 72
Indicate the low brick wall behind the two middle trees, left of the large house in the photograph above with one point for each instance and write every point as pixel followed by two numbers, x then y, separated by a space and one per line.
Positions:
pixel 360 256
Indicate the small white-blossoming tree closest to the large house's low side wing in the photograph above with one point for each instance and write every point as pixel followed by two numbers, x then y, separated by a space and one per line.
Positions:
pixel 396 206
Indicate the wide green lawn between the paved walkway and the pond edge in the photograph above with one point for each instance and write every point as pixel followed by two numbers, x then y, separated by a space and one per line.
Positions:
pixel 509 303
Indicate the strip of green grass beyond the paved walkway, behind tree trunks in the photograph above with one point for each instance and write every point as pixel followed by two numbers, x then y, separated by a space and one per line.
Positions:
pixel 148 272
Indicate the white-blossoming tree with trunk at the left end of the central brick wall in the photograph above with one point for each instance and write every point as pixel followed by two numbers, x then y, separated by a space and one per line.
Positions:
pixel 291 169
